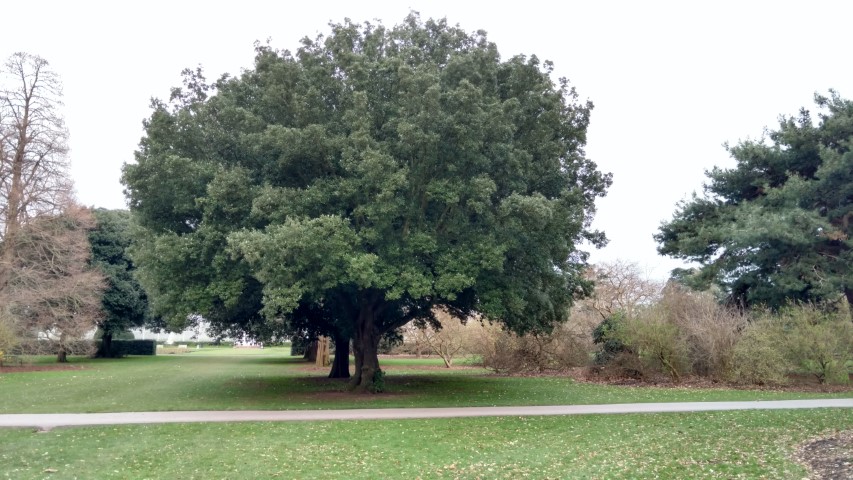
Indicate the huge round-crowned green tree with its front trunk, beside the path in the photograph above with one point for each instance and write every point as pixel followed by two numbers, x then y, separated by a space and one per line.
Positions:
pixel 373 175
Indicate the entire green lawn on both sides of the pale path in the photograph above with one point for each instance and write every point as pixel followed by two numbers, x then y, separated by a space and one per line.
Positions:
pixel 747 444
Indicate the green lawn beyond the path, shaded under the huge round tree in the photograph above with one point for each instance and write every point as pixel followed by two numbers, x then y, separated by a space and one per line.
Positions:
pixel 269 379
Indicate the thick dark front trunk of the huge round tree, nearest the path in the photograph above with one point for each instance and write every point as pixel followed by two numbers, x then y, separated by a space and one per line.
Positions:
pixel 366 346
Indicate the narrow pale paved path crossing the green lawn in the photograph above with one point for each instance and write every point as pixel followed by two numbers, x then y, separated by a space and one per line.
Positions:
pixel 52 420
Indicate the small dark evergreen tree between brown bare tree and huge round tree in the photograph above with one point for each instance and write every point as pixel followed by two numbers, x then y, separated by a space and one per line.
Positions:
pixel 124 303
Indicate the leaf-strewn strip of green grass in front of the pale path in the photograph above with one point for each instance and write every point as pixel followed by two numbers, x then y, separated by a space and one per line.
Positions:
pixel 708 445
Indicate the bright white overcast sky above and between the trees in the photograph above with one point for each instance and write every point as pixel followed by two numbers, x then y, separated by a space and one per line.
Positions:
pixel 671 81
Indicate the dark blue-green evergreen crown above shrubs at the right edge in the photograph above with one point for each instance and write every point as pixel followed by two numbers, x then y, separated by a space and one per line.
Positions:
pixel 775 228
